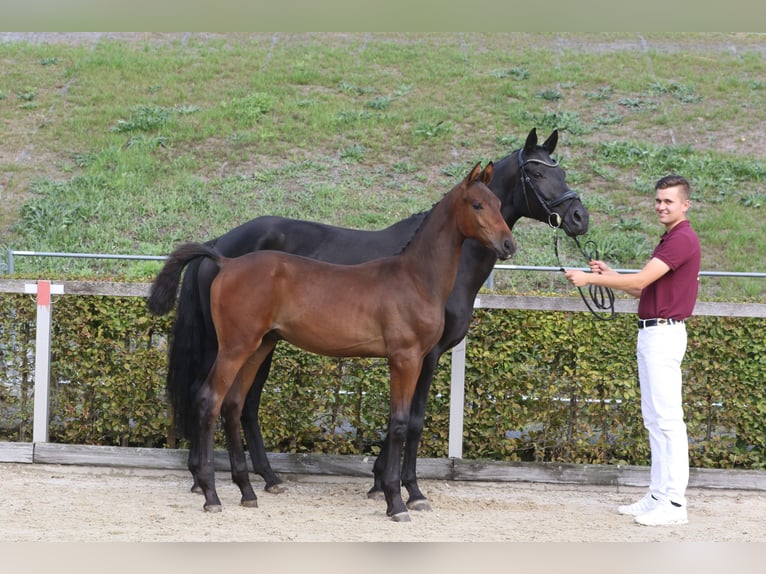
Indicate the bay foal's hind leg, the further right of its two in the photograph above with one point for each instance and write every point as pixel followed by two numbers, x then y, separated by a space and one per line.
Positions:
pixel 232 412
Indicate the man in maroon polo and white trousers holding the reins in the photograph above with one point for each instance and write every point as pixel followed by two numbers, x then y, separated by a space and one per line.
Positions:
pixel 667 287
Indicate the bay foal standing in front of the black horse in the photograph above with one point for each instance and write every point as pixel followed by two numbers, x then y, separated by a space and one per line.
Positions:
pixel 391 307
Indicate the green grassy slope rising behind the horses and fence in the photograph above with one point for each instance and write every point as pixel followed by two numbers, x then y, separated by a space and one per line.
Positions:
pixel 134 147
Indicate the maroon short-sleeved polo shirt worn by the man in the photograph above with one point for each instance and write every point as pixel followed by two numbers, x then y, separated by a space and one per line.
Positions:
pixel 674 294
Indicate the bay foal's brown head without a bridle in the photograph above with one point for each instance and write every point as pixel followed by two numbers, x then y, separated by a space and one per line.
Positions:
pixel 479 216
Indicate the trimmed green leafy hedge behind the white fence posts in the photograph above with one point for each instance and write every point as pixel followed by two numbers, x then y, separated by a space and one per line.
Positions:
pixel 540 386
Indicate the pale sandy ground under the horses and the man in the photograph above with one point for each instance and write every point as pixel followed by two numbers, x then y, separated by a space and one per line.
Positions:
pixel 88 504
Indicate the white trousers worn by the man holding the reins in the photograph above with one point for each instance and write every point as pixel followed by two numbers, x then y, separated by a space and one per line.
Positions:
pixel 659 351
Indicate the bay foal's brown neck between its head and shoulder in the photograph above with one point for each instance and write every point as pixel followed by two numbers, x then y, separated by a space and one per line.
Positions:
pixel 435 249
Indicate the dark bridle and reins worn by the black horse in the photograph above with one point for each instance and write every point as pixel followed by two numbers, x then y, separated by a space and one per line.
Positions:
pixel 601 297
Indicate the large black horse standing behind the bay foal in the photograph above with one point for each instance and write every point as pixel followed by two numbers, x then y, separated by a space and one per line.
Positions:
pixel 528 182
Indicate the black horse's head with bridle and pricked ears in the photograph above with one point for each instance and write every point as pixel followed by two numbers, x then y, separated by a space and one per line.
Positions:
pixel 547 196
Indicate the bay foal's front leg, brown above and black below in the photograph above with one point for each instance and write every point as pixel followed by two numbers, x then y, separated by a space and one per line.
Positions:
pixel 404 372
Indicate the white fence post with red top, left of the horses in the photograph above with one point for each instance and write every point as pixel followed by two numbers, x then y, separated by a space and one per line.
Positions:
pixel 42 356
